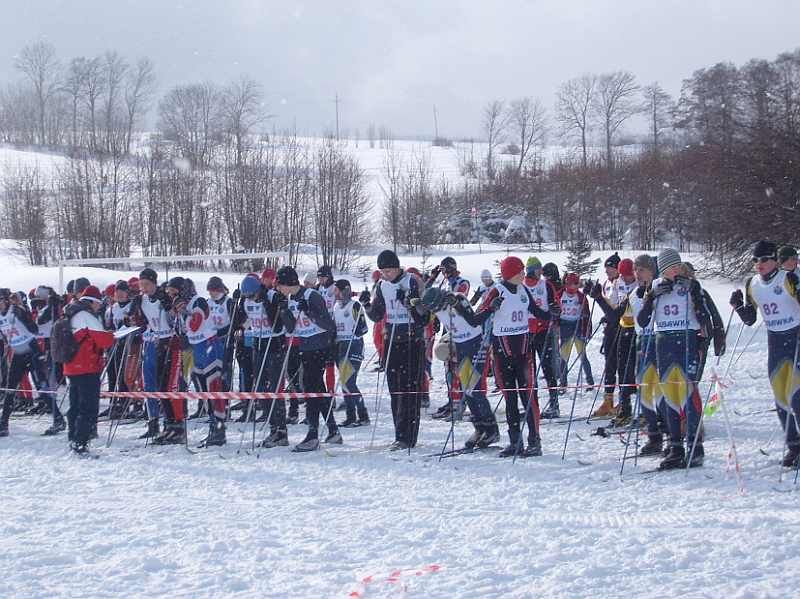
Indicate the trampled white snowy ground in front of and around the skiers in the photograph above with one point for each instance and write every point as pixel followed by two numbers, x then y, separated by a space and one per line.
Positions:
pixel 349 522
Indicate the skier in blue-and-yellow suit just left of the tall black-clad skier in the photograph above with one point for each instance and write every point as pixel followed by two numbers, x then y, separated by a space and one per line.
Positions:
pixel 351 326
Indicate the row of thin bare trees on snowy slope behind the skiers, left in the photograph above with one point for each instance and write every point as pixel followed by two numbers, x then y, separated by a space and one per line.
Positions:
pixel 281 195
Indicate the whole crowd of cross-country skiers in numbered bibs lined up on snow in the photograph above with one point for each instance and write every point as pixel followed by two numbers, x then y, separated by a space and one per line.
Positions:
pixel 658 327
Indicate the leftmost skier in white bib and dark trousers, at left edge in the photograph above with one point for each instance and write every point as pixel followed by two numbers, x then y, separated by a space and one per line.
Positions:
pixel 19 333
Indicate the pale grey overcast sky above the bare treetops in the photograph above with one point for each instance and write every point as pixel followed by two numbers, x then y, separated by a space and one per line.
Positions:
pixel 390 61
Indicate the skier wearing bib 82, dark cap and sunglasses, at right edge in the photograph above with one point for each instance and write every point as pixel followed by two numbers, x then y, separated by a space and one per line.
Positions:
pixel 774 293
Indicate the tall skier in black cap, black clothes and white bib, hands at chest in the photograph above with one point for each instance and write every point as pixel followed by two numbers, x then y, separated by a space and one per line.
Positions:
pixel 405 346
